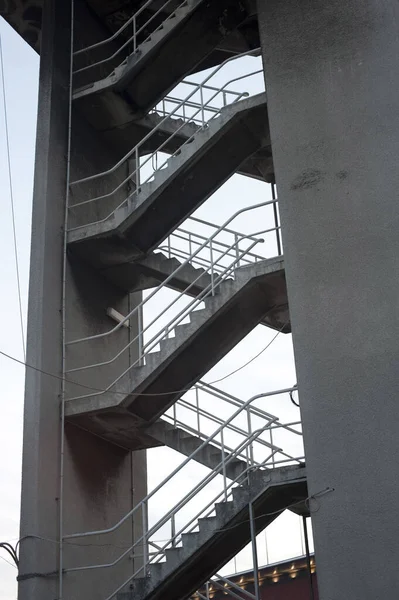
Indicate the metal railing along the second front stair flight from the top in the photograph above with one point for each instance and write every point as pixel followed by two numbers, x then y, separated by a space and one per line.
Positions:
pixel 146 168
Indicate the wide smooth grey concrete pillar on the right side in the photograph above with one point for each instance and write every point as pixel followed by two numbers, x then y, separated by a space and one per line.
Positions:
pixel 331 69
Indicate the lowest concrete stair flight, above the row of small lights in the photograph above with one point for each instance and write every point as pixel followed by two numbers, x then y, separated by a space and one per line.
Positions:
pixel 221 537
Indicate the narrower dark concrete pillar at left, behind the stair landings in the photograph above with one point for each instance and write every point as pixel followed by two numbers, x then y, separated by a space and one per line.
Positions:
pixel 99 482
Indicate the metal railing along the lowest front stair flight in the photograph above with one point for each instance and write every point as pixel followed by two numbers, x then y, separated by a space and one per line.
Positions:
pixel 176 518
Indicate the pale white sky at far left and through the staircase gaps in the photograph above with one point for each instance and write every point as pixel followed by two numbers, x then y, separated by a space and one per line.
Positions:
pixel 272 370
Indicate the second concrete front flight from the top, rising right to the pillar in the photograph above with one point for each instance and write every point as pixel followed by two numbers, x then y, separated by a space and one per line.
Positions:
pixel 100 233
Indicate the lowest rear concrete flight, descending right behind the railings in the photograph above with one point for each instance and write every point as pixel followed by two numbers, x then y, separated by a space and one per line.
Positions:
pixel 185 442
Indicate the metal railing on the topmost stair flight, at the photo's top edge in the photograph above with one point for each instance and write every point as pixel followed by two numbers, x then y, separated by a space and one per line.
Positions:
pixel 131 40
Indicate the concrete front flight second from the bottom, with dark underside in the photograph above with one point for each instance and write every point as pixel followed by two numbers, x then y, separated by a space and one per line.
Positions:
pixel 258 292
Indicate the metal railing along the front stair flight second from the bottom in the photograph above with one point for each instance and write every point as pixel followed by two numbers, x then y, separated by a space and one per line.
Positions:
pixel 171 311
